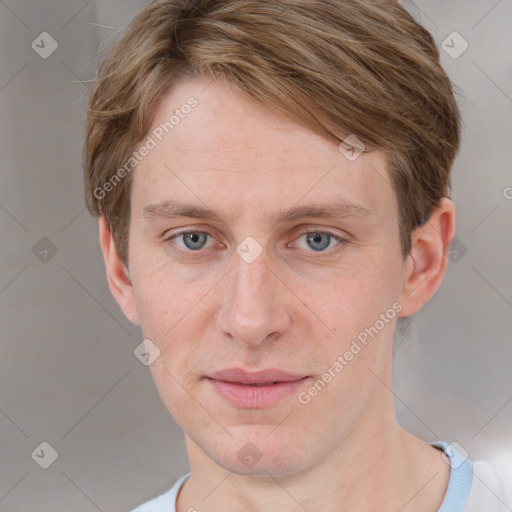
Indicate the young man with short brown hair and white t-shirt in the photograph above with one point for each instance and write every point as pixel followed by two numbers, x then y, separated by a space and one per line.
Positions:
pixel 272 182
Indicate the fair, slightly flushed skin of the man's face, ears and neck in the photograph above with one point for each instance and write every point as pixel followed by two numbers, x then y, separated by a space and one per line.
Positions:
pixel 293 308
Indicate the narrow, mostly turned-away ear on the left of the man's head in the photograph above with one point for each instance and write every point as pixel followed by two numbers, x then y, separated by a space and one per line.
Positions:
pixel 118 276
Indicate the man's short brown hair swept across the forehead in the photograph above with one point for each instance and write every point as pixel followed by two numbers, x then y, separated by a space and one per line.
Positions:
pixel 337 67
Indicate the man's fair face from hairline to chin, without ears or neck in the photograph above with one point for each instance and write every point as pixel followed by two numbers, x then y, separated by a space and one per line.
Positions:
pixel 270 277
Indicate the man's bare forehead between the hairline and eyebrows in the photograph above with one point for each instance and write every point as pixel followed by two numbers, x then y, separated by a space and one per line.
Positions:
pixel 228 150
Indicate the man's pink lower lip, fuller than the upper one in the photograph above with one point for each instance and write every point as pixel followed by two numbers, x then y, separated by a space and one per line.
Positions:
pixel 255 397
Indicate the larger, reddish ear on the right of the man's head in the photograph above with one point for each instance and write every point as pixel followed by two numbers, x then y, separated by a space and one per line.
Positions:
pixel 426 264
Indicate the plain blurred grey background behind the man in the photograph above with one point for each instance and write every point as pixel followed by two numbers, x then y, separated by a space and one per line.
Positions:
pixel 67 369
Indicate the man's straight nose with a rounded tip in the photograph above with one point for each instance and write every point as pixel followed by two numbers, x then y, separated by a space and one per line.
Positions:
pixel 254 309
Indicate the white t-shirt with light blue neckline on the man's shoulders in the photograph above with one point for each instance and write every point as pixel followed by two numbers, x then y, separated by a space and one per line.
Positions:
pixel 472 487
